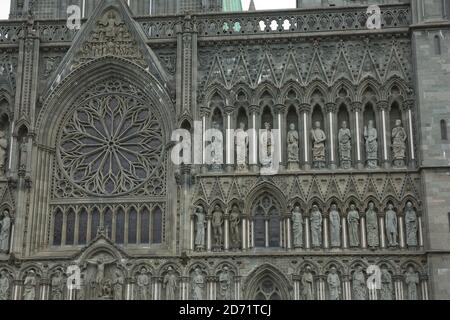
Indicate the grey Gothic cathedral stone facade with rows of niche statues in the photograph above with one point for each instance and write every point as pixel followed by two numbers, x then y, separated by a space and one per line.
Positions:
pixel 89 194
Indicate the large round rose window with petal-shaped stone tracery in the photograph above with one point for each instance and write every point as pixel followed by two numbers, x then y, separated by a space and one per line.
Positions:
pixel 111 144
